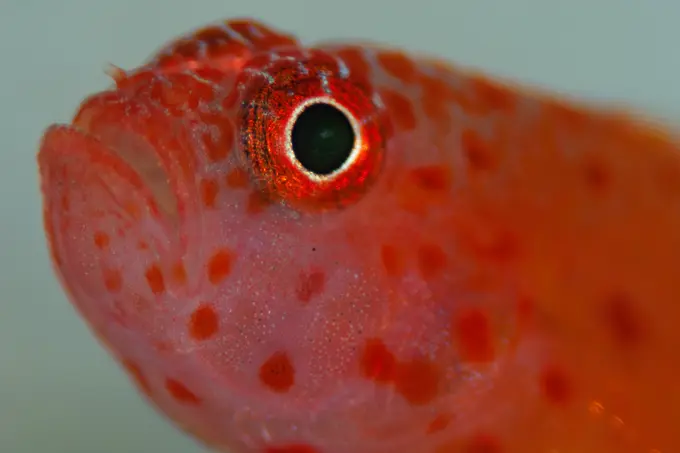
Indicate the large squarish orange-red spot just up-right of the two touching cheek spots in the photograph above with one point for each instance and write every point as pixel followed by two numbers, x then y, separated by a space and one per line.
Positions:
pixel 471 331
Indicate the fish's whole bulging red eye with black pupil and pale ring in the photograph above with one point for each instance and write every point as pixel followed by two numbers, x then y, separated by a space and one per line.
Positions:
pixel 312 137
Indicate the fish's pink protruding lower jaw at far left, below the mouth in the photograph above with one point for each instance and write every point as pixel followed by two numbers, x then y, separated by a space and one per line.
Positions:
pixel 106 232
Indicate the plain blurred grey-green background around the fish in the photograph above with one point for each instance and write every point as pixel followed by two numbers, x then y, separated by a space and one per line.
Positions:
pixel 59 392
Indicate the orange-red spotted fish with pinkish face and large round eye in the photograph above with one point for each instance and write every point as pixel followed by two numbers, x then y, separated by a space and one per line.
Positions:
pixel 346 247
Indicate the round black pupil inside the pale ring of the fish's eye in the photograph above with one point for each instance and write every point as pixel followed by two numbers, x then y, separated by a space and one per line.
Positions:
pixel 322 138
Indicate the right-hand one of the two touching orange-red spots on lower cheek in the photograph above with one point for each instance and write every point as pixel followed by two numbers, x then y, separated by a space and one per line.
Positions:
pixel 417 381
